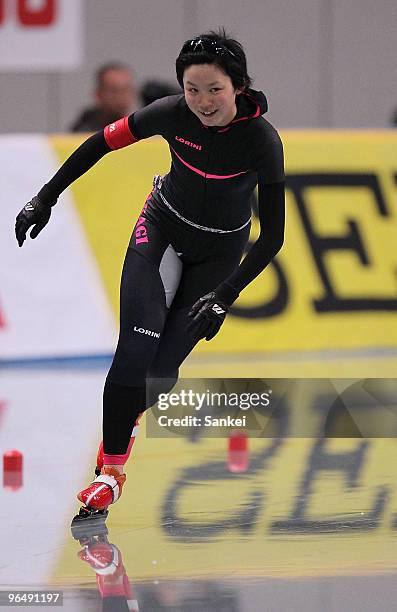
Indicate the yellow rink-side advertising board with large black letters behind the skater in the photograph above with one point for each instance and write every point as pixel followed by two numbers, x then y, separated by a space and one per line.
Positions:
pixel 333 285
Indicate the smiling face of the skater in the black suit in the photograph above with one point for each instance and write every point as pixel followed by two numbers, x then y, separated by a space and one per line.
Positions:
pixel 210 94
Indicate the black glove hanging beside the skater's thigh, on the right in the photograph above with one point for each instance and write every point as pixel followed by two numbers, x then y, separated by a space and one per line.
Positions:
pixel 207 315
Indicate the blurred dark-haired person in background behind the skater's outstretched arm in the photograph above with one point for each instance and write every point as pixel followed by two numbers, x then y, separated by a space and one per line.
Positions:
pixel 115 97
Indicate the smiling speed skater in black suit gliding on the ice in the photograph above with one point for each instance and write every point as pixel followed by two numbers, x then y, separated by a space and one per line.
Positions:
pixel 183 268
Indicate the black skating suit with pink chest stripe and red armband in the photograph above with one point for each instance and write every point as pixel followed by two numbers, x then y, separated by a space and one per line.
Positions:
pixel 189 237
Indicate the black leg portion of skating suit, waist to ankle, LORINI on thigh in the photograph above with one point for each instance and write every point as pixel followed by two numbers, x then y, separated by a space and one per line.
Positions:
pixel 168 266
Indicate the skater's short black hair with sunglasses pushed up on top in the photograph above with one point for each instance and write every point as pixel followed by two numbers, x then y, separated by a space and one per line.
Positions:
pixel 228 54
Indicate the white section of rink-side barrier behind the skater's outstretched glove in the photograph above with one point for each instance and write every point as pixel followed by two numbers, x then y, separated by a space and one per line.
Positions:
pixel 52 301
